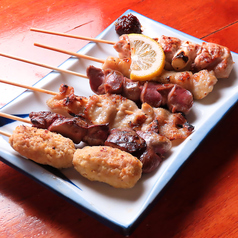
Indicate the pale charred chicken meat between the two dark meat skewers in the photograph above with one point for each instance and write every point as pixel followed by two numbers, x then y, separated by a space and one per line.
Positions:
pixel 119 112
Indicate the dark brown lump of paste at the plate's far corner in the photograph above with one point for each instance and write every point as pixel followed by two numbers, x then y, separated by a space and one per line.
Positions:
pixel 128 24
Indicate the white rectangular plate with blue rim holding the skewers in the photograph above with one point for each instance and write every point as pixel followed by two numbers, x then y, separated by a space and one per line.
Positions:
pixel 119 209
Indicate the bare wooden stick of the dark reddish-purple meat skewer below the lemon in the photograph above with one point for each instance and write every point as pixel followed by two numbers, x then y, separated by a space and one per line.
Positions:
pixel 44 65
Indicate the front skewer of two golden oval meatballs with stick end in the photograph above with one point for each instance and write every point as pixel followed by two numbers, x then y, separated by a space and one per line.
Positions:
pixel 98 163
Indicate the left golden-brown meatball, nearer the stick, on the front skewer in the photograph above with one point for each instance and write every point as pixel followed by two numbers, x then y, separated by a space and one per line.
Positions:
pixel 43 146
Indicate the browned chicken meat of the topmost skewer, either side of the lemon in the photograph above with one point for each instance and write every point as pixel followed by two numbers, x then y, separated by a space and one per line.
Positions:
pixel 187 56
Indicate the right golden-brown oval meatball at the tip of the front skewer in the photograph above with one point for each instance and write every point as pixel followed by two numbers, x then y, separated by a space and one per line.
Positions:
pixel 109 165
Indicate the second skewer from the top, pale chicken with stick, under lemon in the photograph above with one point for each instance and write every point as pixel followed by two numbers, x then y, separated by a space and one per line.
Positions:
pixel 199 84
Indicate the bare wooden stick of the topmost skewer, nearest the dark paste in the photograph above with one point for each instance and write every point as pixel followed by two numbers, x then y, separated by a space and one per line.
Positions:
pixel 73 36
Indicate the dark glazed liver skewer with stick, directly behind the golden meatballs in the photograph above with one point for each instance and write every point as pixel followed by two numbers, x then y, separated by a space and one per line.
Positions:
pixel 149 147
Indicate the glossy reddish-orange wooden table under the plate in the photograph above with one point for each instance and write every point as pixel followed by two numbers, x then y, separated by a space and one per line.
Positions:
pixel 200 201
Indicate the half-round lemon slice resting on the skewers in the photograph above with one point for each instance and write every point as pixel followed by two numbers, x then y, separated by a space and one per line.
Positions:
pixel 147 57
